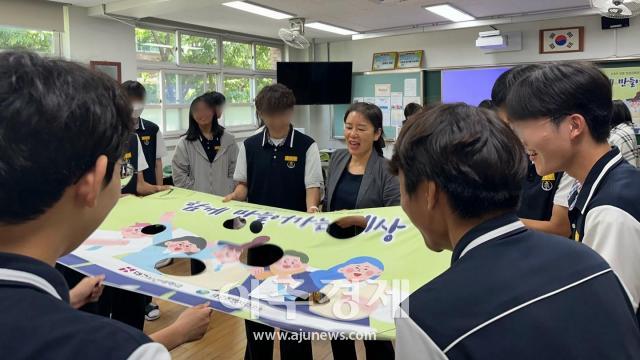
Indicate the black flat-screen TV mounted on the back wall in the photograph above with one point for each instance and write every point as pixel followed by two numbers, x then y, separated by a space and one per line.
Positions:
pixel 317 83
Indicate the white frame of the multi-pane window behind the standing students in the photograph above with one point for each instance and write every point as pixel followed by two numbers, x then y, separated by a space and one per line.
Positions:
pixel 220 71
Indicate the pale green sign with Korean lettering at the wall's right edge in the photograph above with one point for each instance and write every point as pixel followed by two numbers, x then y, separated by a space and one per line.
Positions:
pixel 625 83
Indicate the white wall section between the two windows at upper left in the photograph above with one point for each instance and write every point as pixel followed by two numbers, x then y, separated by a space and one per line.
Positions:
pixel 89 38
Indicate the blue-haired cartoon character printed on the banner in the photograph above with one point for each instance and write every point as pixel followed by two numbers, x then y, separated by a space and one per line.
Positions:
pixel 351 288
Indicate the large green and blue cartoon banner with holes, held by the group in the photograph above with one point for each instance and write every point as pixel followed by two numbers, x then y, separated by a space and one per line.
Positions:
pixel 321 283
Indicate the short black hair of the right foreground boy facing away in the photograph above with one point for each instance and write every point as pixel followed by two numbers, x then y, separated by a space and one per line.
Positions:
pixel 473 157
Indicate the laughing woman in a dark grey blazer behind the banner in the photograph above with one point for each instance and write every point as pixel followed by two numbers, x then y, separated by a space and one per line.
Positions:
pixel 359 178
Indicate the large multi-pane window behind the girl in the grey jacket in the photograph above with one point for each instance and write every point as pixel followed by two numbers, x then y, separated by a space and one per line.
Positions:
pixel 175 67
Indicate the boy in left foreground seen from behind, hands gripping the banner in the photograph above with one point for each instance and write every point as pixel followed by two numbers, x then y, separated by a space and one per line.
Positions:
pixel 43 108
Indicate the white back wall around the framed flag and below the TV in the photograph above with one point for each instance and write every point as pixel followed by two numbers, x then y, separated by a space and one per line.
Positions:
pixel 455 48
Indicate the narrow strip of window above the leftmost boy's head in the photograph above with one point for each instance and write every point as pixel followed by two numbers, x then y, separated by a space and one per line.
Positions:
pixel 43 42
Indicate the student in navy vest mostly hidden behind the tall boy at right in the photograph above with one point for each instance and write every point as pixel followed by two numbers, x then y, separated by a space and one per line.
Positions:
pixel 544 197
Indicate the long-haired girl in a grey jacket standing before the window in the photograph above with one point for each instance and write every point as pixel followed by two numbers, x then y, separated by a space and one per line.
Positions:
pixel 205 157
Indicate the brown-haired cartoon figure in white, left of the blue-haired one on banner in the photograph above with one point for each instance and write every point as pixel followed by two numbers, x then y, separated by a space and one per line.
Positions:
pixel 278 282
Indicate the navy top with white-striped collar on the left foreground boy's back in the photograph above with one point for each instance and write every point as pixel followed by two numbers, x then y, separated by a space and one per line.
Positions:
pixel 35 324
